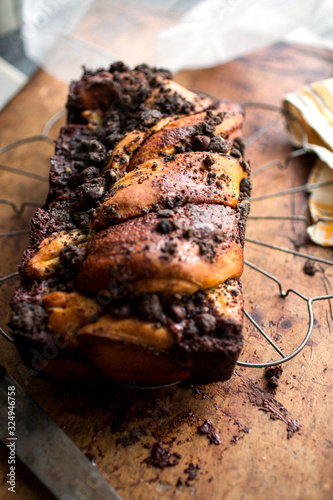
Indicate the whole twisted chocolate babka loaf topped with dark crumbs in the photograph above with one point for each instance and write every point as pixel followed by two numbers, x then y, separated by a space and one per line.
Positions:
pixel 133 266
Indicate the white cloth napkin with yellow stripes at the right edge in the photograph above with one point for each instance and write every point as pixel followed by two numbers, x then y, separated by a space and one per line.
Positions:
pixel 312 106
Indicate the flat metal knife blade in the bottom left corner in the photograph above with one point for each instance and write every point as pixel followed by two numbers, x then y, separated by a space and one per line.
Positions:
pixel 47 451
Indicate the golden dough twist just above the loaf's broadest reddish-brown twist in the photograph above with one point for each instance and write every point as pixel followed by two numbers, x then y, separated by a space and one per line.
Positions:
pixel 186 179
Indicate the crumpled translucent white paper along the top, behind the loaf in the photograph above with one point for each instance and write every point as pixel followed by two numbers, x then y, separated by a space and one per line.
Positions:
pixel 63 35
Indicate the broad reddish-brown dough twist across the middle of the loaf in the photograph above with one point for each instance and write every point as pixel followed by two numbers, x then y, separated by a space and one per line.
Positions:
pixel 201 250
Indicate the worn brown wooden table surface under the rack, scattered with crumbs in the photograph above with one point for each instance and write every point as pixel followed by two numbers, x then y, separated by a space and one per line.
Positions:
pixel 276 445
